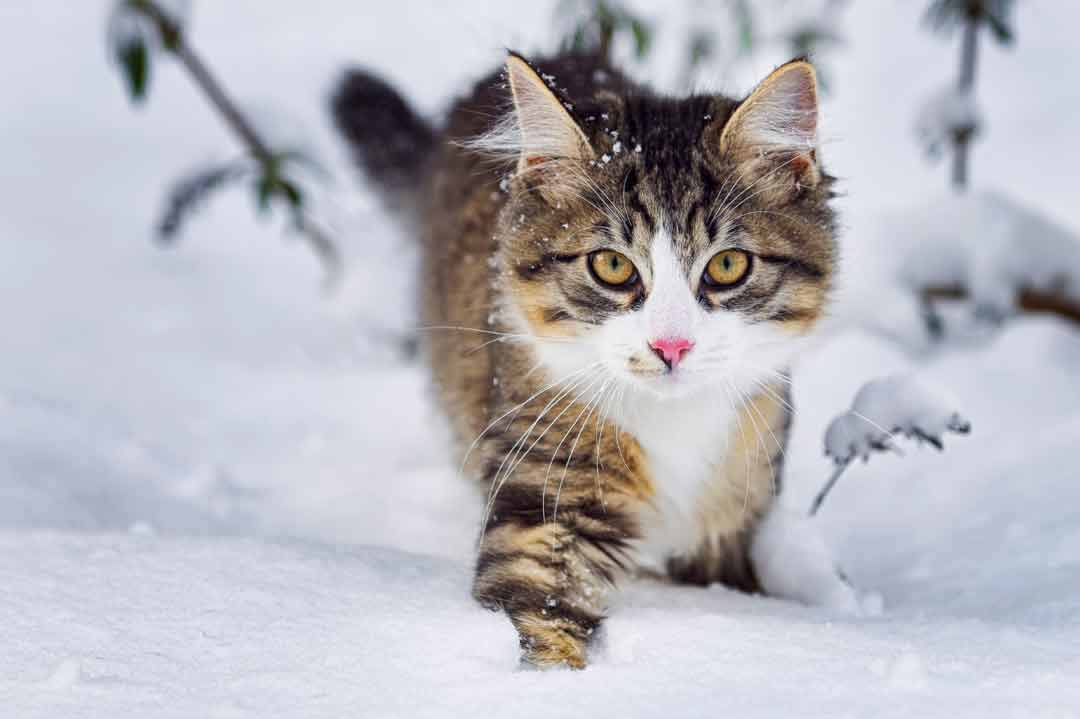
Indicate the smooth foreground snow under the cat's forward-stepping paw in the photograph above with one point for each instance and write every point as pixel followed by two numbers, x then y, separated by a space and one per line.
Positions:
pixel 184 628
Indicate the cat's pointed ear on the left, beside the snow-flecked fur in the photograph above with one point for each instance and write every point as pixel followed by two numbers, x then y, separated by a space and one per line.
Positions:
pixel 547 131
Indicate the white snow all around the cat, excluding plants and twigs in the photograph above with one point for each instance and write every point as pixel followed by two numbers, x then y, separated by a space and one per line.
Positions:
pixel 221 498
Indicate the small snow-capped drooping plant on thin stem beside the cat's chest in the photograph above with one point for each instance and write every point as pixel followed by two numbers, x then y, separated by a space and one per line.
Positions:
pixel 883 410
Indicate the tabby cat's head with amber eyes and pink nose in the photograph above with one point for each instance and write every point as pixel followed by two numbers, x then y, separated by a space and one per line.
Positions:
pixel 679 246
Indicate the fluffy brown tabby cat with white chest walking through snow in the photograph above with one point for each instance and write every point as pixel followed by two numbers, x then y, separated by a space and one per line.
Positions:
pixel 615 284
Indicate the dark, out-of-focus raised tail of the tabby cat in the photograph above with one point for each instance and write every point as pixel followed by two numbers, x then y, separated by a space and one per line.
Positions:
pixel 389 142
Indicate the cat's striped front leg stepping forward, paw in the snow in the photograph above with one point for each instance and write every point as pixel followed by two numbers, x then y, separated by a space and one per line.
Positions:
pixel 549 571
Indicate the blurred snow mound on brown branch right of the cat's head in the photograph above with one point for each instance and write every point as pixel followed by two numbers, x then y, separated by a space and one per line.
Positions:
pixel 996 256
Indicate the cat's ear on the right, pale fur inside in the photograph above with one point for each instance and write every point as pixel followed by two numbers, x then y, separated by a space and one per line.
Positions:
pixel 775 131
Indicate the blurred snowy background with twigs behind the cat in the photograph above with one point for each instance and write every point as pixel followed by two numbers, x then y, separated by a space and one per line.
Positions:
pixel 200 336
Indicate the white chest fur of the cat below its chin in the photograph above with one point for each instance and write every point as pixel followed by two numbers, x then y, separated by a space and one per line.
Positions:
pixel 684 441
